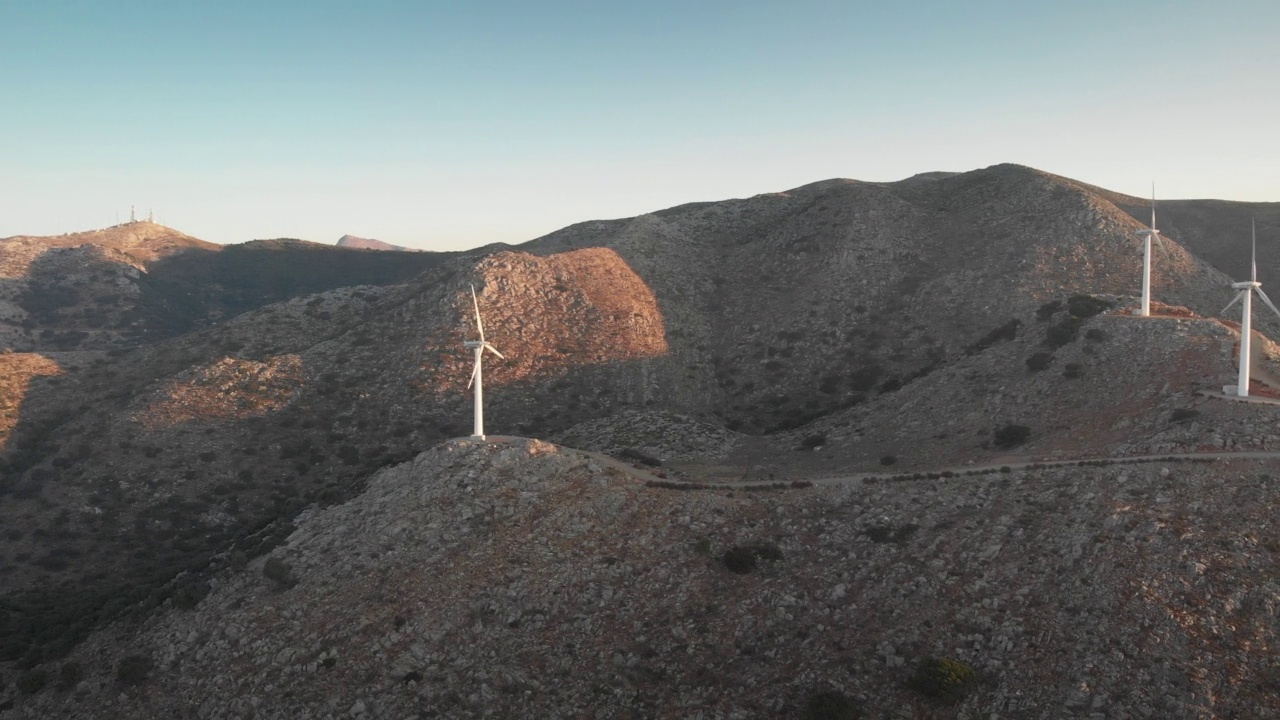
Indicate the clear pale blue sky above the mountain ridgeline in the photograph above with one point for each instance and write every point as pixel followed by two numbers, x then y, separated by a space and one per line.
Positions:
pixel 451 125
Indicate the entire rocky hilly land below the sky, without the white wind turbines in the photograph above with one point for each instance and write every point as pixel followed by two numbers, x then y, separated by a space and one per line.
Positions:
pixel 851 450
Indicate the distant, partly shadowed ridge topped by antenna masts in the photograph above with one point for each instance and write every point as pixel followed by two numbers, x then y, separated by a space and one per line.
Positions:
pixel 141 282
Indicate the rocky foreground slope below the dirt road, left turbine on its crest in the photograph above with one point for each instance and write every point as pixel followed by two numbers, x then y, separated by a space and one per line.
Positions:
pixel 522 580
